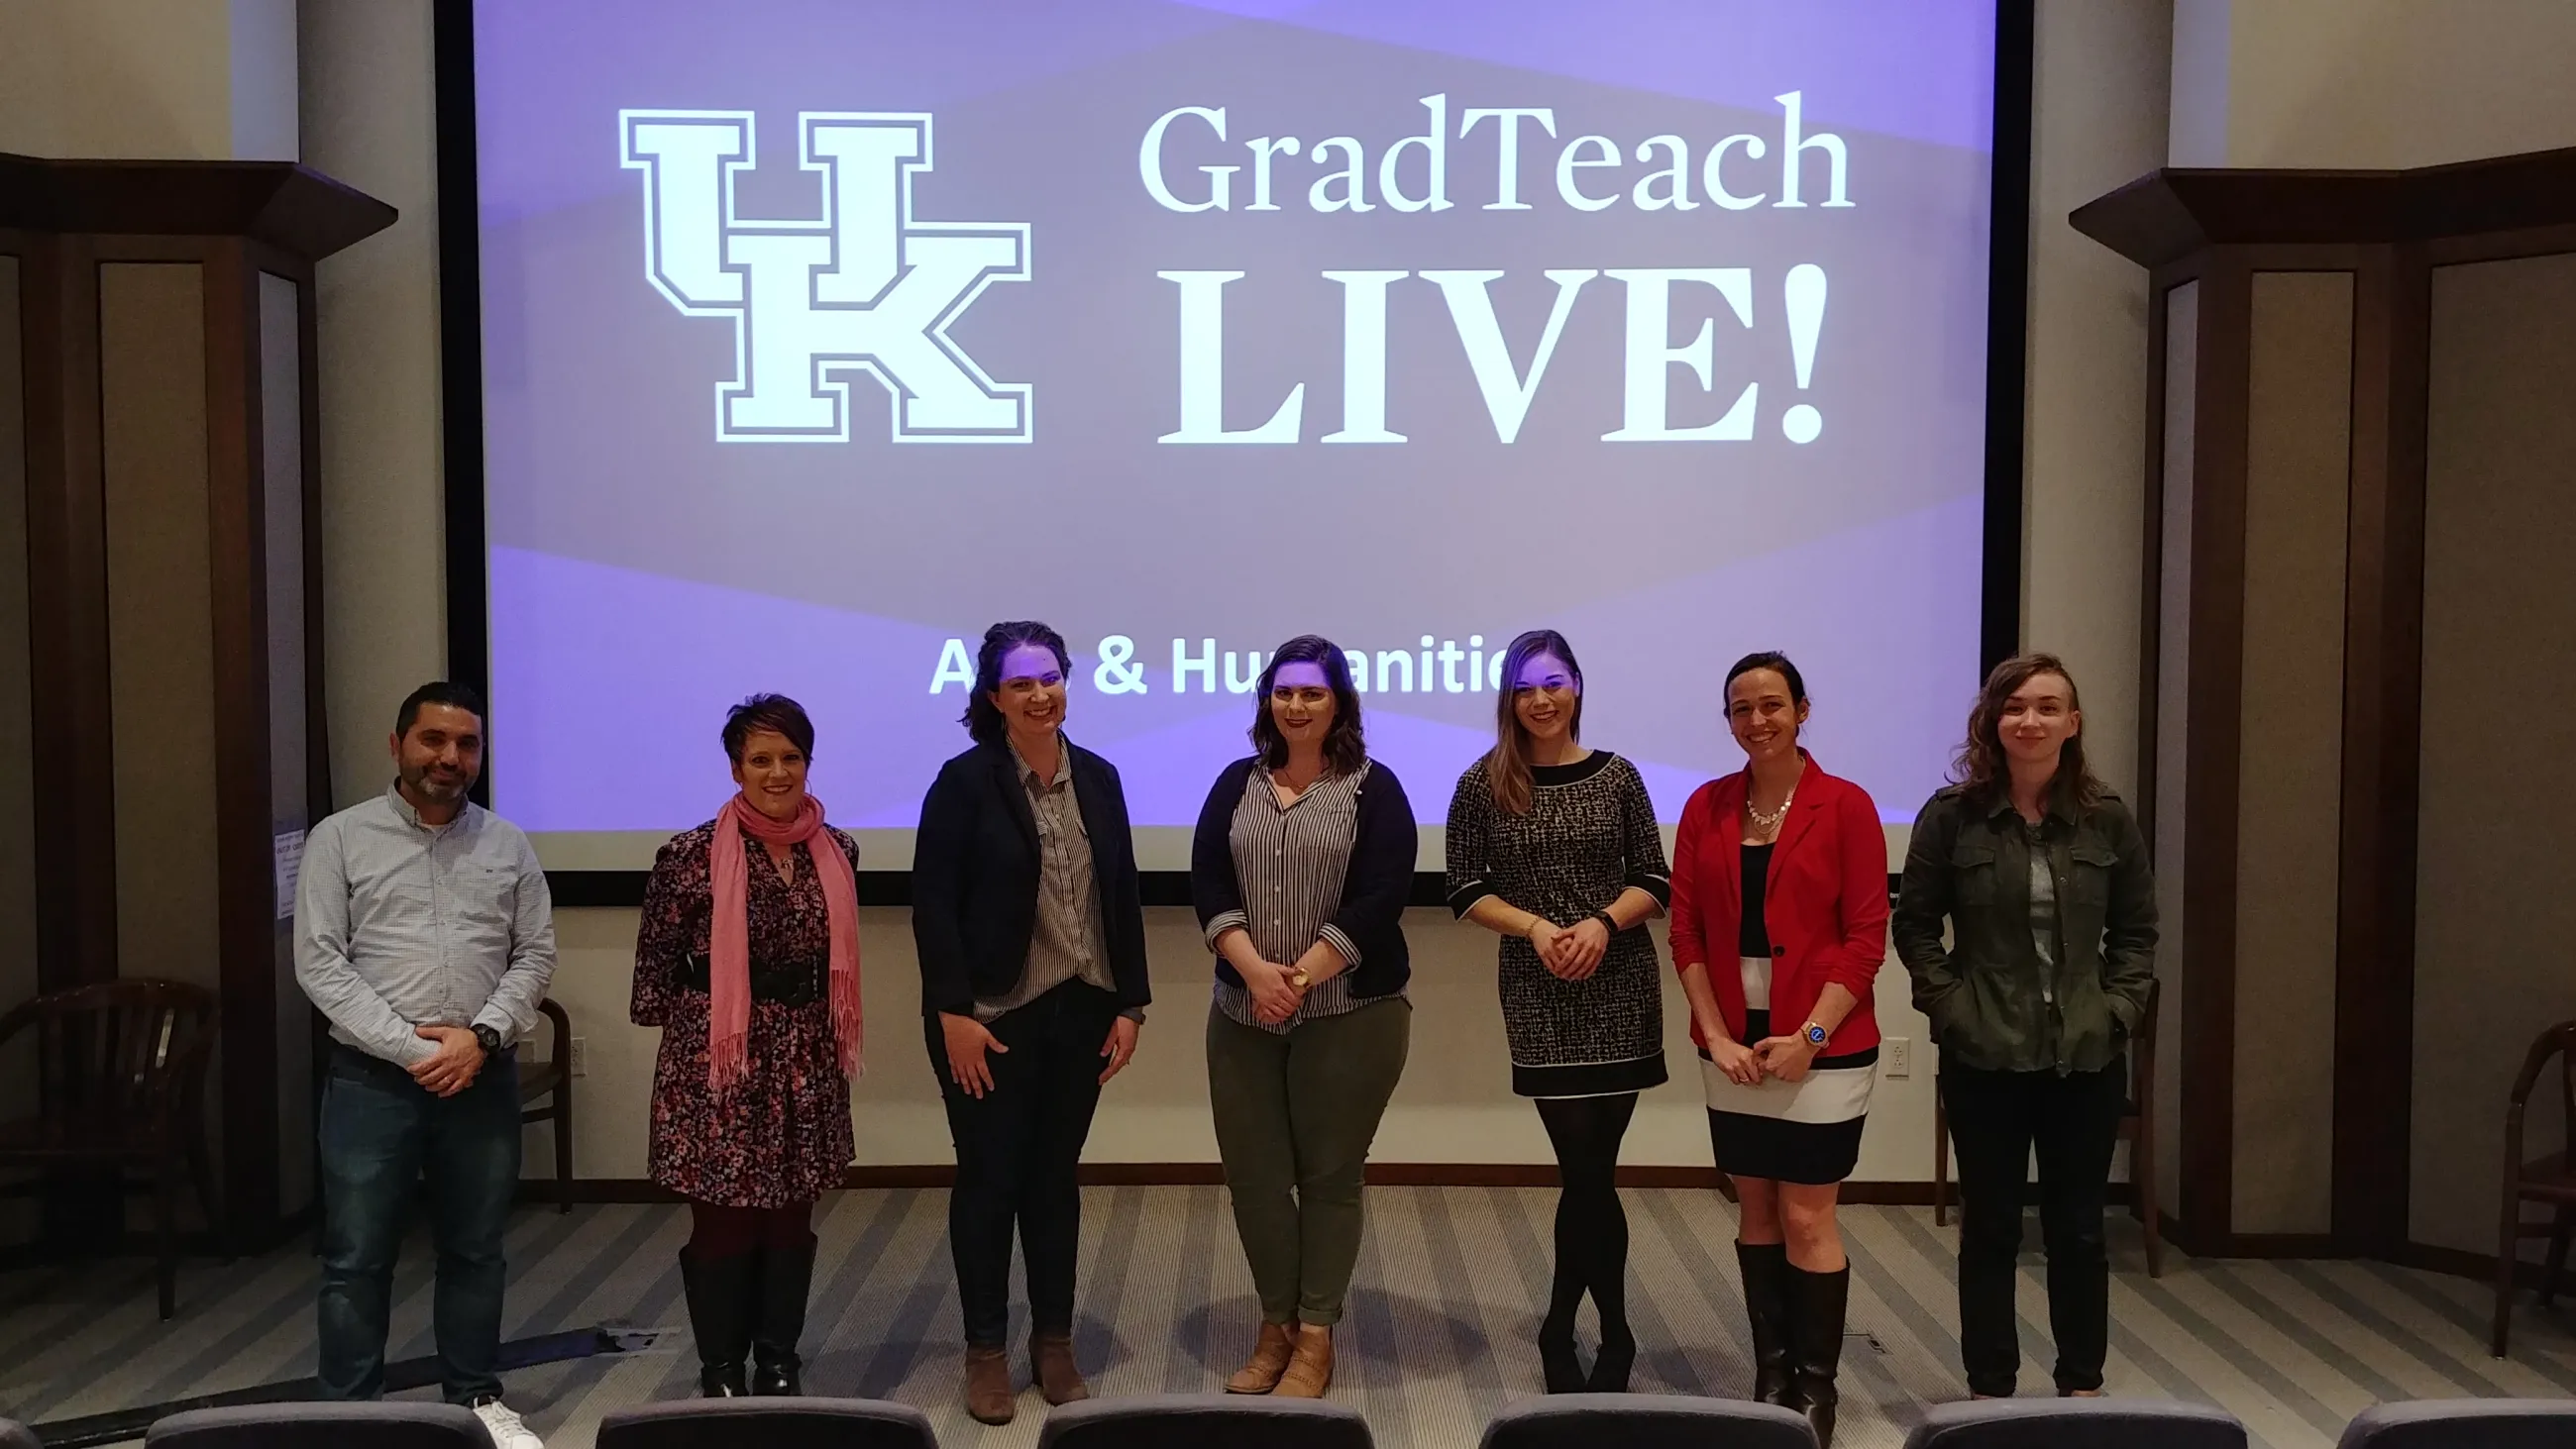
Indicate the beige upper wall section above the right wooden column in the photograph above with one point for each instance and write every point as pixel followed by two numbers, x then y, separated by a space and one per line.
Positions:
pixel 2371 84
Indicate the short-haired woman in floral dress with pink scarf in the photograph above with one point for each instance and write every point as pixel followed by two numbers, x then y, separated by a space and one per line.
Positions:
pixel 748 961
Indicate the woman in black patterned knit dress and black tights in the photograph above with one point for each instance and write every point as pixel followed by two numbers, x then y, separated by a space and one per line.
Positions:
pixel 1555 848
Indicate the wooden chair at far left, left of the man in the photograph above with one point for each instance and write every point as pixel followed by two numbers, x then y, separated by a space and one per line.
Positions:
pixel 122 1087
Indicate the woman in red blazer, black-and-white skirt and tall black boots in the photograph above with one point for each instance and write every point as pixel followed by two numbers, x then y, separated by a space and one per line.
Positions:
pixel 1789 869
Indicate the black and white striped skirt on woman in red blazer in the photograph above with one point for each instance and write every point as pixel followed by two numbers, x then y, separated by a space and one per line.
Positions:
pixel 1789 1131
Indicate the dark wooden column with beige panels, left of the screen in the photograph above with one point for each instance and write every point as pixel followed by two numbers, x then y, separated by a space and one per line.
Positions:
pixel 174 601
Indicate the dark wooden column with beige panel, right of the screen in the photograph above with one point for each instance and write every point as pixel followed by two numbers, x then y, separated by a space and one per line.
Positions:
pixel 2286 668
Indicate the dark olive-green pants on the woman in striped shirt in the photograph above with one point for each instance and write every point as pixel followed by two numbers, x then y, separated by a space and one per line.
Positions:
pixel 1294 1118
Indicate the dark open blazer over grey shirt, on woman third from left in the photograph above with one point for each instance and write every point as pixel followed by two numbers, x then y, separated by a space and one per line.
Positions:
pixel 975 879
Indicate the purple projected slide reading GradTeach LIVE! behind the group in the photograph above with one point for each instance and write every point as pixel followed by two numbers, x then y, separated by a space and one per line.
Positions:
pixel 823 333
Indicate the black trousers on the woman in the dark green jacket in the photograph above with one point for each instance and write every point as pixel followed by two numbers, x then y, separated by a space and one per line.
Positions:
pixel 2075 1123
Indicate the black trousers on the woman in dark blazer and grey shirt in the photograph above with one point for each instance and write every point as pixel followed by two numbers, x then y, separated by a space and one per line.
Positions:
pixel 1019 1149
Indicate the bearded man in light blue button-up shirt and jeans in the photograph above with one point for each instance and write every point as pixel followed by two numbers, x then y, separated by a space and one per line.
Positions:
pixel 426 936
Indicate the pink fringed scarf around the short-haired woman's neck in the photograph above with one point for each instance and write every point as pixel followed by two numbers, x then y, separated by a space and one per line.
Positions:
pixel 730 936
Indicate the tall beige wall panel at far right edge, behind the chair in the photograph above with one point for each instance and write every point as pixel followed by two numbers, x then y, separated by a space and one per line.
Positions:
pixel 2495 912
